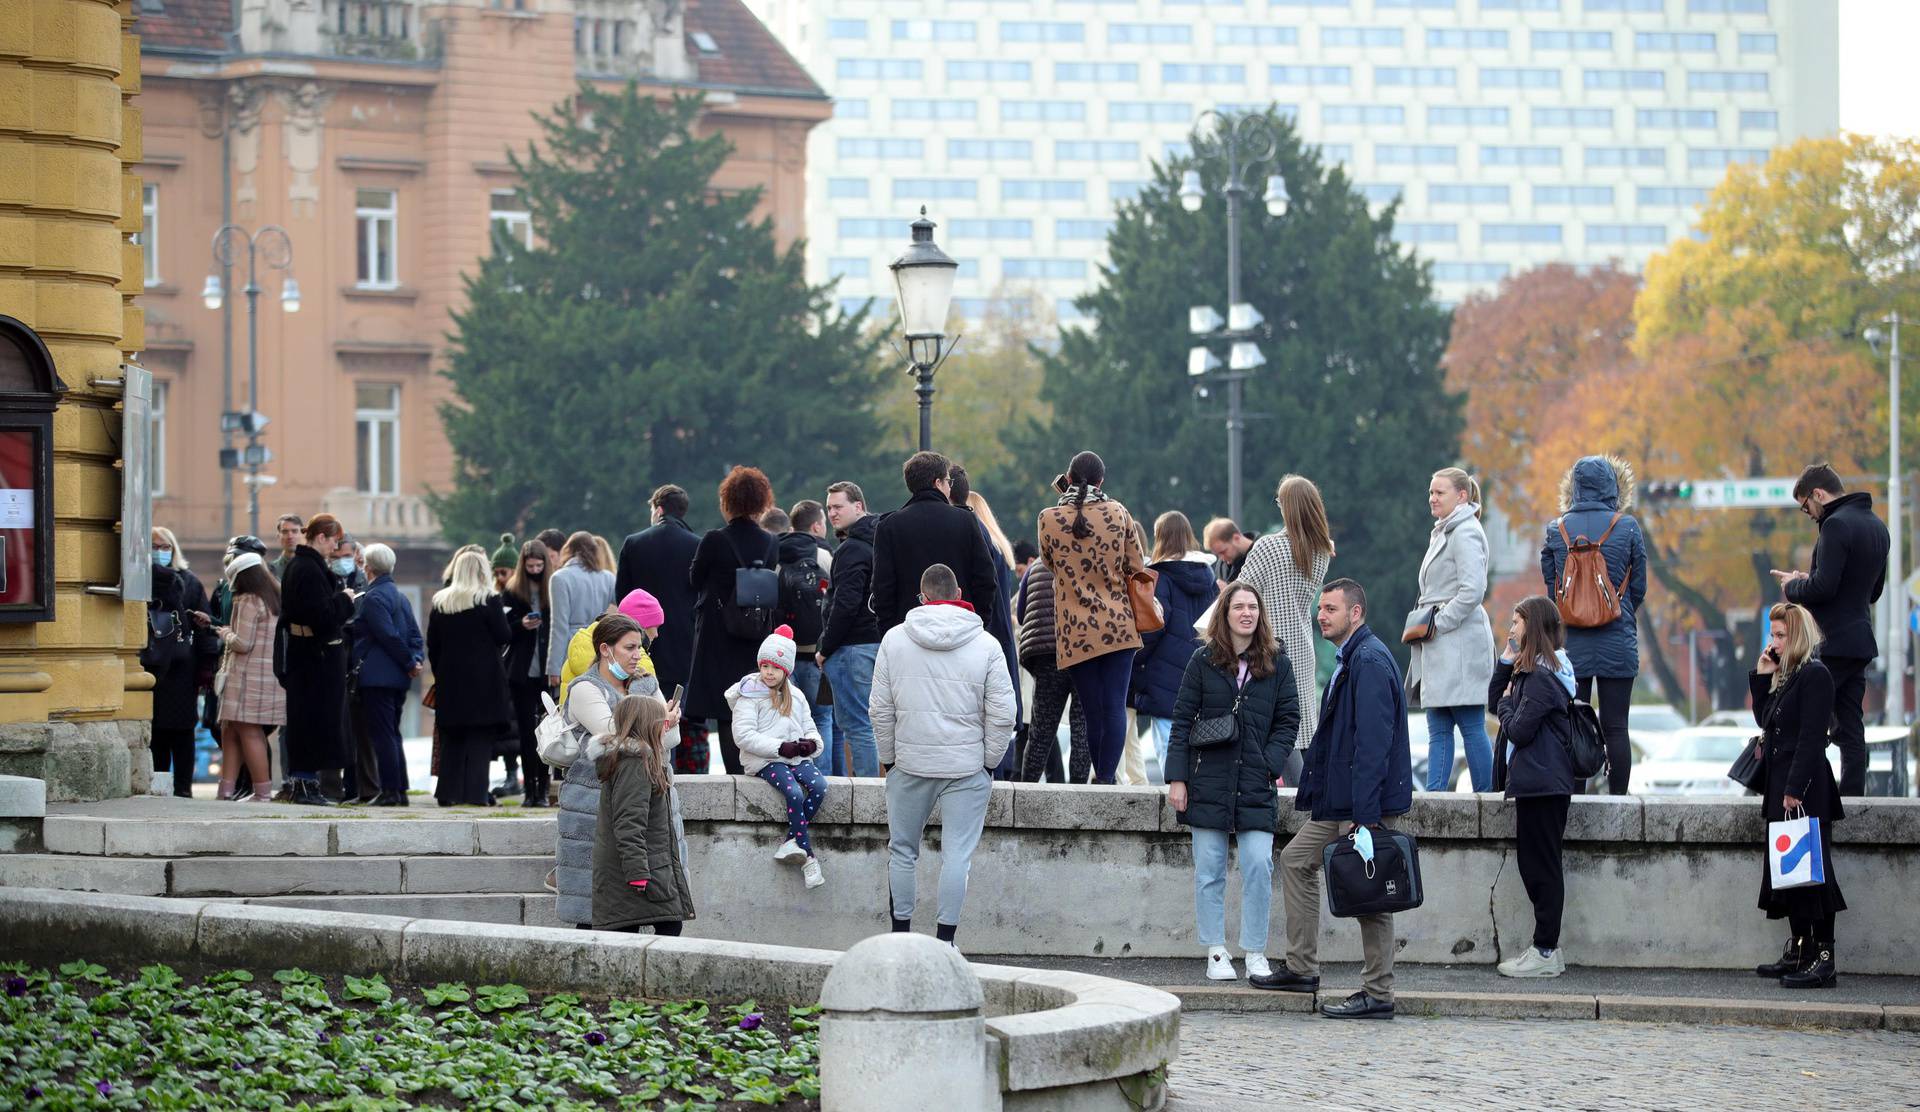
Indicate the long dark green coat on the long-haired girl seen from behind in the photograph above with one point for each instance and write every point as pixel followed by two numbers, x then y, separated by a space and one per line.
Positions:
pixel 635 840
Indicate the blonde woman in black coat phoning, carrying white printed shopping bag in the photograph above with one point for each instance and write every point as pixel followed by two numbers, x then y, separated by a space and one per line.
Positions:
pixel 1794 704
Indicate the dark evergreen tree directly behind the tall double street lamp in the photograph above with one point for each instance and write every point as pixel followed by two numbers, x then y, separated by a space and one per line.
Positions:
pixel 1351 397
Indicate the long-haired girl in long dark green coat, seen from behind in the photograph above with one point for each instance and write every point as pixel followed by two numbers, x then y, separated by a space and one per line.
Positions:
pixel 638 875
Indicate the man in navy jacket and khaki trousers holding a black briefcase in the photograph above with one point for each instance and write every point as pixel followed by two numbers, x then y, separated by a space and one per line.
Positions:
pixel 1358 773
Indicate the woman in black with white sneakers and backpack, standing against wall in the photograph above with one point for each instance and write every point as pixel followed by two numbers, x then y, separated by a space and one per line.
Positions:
pixel 1531 694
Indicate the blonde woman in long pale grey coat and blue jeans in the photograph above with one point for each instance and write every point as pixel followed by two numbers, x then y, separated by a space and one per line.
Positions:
pixel 1452 669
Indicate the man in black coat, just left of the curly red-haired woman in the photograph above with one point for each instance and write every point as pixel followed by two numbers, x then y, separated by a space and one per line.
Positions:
pixel 656 562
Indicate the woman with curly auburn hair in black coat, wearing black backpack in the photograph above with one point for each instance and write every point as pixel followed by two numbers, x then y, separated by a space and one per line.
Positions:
pixel 721 658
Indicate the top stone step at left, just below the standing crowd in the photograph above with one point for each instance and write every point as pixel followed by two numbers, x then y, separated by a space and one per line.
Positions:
pixel 300 834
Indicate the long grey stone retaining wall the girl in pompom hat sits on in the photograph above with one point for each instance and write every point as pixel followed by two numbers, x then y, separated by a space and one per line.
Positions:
pixel 1652 882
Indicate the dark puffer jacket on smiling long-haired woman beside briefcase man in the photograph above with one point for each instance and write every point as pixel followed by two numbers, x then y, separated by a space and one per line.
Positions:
pixel 1232 786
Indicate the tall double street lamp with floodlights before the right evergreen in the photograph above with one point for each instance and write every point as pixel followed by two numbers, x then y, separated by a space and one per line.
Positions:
pixel 1243 145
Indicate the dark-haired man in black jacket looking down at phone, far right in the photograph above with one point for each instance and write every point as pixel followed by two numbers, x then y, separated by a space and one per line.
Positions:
pixel 1850 569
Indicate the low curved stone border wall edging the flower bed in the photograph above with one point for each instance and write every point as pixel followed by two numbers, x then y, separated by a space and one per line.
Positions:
pixel 1084 1028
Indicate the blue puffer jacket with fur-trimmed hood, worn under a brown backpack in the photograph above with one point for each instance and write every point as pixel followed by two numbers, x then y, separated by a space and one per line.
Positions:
pixel 1591 493
